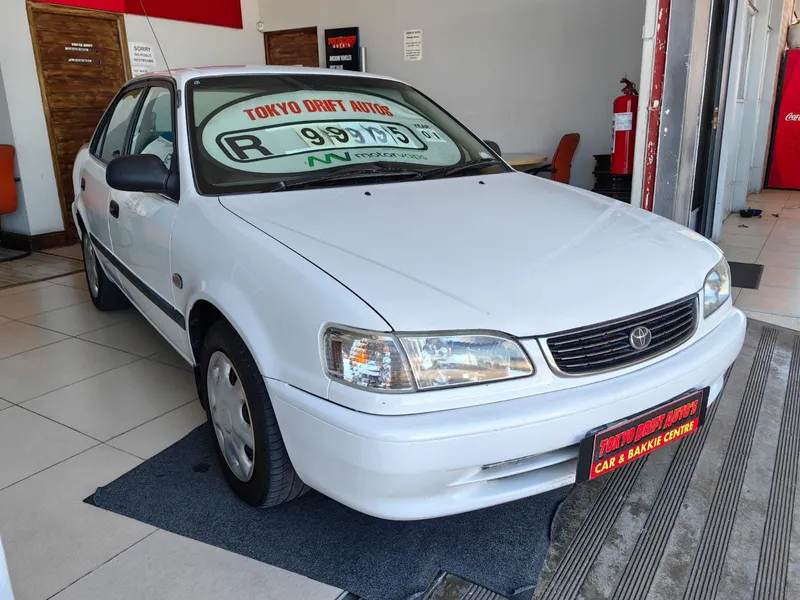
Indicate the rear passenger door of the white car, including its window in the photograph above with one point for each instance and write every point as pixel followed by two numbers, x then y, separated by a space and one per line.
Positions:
pixel 107 144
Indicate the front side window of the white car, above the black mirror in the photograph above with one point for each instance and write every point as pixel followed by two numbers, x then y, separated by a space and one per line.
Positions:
pixel 154 131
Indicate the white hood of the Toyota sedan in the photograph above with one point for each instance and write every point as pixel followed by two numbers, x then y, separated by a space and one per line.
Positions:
pixel 506 252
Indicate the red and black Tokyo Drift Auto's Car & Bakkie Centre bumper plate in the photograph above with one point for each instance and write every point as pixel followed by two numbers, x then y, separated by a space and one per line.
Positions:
pixel 616 446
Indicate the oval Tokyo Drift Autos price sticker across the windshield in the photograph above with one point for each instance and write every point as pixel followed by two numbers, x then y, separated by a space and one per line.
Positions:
pixel 277 133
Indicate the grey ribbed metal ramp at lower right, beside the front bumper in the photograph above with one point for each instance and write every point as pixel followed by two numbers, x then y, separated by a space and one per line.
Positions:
pixel 713 517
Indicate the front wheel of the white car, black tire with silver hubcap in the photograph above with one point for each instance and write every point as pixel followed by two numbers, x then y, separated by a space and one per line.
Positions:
pixel 234 395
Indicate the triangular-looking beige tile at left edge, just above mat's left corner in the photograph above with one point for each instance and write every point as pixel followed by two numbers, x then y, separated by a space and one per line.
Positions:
pixel 30 443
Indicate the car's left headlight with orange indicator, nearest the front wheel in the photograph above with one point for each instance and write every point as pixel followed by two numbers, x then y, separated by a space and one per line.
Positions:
pixel 409 362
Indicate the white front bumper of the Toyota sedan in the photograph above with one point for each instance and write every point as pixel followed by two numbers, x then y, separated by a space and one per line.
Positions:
pixel 441 463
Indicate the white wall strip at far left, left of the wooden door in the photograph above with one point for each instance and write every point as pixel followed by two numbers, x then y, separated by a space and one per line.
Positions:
pixel 39 210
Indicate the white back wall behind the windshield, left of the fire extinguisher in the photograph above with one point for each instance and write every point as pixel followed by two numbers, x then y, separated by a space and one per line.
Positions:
pixel 519 72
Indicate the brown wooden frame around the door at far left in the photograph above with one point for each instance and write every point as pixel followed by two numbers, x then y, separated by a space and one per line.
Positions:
pixel 67 11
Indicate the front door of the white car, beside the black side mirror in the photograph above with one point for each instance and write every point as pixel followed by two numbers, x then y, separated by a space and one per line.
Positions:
pixel 140 223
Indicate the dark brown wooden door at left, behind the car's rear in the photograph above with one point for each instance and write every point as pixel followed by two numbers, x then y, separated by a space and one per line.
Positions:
pixel 82 63
